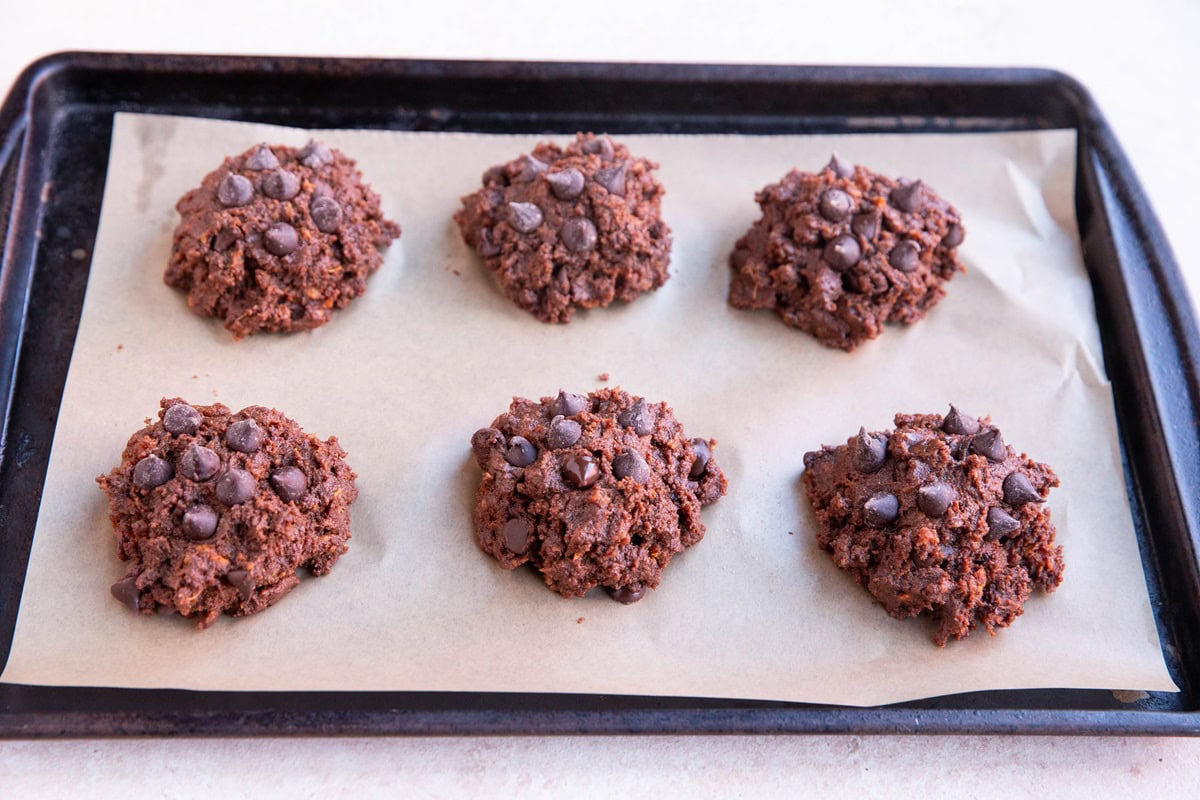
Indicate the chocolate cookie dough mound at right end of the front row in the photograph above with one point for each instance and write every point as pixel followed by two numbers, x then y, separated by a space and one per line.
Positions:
pixel 938 516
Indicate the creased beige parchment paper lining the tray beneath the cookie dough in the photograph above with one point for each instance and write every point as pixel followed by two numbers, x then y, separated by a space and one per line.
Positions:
pixel 434 352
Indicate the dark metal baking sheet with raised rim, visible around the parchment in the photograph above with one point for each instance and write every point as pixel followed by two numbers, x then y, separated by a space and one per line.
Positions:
pixel 56 128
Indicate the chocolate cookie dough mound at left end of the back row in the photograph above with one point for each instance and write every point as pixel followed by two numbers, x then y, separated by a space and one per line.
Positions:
pixel 278 238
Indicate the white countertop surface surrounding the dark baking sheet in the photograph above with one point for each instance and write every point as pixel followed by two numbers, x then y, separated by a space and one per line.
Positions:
pixel 1141 64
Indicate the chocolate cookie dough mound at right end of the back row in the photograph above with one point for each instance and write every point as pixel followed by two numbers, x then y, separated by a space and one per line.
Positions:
pixel 842 252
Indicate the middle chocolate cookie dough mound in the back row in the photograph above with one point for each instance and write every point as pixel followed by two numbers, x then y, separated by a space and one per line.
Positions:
pixel 571 228
